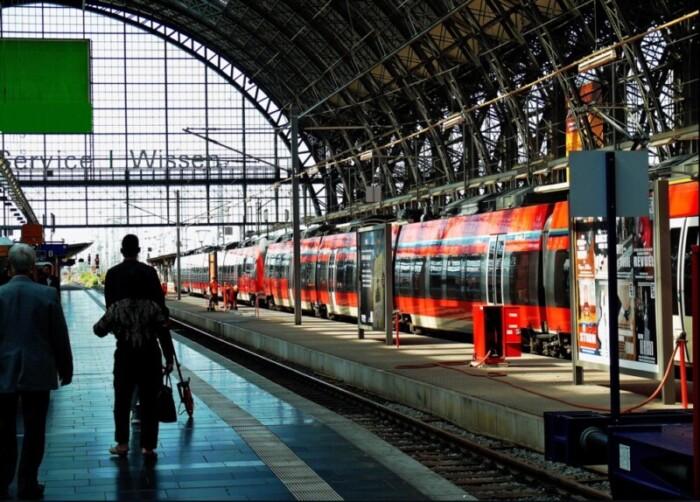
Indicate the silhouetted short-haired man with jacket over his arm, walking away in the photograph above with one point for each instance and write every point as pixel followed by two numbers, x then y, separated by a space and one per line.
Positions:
pixel 138 327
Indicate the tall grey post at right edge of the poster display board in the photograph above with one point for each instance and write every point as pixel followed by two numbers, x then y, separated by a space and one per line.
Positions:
pixel 663 281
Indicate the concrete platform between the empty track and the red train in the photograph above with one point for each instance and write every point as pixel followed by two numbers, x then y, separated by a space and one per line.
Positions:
pixel 503 402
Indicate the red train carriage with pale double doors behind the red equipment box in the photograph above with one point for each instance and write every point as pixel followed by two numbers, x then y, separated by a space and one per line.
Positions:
pixel 445 268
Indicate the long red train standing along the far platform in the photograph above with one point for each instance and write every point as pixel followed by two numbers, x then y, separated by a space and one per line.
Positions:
pixel 442 268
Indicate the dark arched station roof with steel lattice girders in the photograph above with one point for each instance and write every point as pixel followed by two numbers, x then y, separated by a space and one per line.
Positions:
pixel 365 72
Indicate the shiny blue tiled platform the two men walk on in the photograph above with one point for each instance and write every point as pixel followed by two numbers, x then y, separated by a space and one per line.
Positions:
pixel 249 439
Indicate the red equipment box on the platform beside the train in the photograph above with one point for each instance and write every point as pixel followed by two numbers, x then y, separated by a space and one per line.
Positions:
pixel 496 333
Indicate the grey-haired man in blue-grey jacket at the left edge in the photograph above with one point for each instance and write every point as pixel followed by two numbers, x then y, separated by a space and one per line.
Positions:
pixel 34 351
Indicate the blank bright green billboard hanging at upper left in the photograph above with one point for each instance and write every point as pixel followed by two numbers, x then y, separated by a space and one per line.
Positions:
pixel 45 86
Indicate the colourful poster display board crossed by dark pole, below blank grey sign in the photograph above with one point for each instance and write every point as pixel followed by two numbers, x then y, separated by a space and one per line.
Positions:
pixel 635 293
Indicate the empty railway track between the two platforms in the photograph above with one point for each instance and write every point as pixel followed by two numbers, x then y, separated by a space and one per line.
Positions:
pixel 495 471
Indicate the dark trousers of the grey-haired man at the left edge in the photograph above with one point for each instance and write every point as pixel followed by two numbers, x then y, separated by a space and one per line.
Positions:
pixel 35 406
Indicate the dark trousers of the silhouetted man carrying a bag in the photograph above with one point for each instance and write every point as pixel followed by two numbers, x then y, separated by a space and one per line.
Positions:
pixel 134 369
